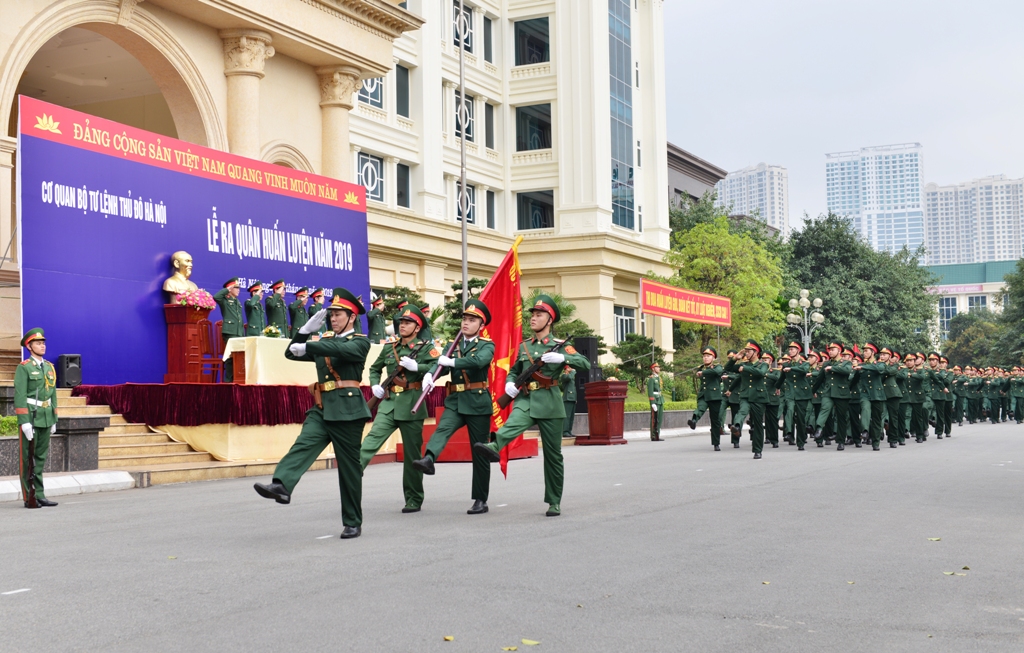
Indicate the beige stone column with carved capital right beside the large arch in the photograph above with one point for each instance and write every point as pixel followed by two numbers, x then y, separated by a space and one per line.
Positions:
pixel 246 53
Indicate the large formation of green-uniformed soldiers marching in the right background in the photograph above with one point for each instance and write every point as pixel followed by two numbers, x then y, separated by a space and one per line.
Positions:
pixel 852 397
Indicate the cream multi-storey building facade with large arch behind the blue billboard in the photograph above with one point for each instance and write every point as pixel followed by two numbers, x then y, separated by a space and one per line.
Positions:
pixel 565 120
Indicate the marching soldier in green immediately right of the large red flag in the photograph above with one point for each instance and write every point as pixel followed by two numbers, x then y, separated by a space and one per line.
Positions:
pixel 541 402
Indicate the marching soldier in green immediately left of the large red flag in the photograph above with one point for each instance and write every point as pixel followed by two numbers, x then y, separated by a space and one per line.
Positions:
pixel 468 402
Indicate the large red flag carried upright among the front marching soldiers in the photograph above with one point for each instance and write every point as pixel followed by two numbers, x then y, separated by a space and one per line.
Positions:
pixel 505 302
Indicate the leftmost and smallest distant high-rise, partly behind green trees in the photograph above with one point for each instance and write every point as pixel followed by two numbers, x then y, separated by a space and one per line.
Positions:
pixel 763 191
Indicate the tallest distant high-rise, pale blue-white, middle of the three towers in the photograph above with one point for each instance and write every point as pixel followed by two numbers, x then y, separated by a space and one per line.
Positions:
pixel 880 189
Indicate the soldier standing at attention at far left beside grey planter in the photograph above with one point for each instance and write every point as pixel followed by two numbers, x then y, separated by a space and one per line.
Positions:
pixel 36 410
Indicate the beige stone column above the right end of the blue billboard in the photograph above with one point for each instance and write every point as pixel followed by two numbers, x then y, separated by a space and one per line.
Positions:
pixel 338 85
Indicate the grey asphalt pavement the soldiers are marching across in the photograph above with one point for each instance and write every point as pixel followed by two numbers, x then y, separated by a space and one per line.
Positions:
pixel 663 547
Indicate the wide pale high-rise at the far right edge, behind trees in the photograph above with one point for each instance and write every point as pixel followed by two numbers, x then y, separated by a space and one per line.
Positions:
pixel 976 222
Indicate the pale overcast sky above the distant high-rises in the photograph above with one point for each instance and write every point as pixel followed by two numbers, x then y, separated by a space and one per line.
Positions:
pixel 787 81
